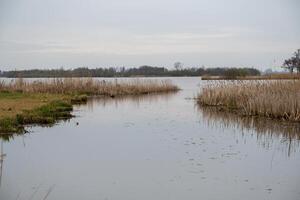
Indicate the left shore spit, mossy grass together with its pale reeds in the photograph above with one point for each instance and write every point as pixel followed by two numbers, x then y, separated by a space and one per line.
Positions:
pixel 45 102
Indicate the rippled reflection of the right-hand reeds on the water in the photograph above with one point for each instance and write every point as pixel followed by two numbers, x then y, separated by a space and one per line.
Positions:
pixel 266 130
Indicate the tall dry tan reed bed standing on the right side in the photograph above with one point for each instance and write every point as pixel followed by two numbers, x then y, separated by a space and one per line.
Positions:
pixel 273 99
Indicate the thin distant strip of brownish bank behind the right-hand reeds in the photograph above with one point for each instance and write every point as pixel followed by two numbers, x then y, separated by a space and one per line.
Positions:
pixel 262 77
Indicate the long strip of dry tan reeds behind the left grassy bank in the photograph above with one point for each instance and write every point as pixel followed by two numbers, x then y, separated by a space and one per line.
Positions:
pixel 89 86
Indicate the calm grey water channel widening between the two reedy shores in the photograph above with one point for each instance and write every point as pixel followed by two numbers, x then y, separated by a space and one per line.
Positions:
pixel 154 147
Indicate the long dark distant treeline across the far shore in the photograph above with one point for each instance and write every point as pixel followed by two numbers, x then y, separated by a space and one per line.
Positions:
pixel 130 72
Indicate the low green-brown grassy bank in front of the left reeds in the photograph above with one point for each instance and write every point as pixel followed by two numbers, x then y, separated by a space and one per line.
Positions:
pixel 20 109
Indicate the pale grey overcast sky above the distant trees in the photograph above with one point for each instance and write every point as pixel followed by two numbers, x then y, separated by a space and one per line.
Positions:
pixel 98 33
